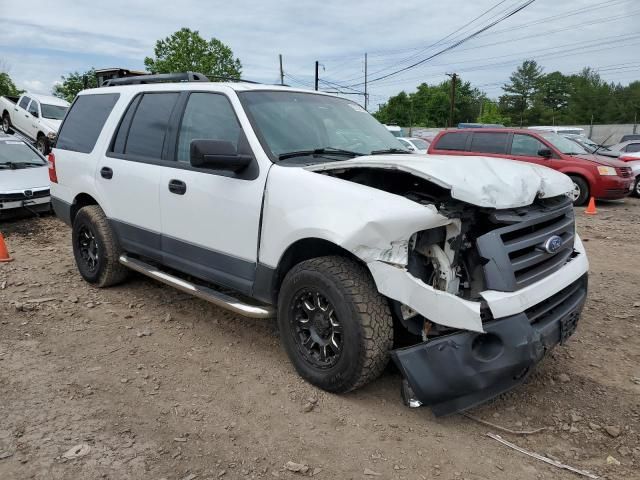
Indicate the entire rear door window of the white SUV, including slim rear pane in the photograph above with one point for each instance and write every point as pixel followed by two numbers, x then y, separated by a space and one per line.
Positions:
pixel 143 130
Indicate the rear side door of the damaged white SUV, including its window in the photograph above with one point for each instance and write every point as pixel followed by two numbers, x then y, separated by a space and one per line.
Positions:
pixel 128 176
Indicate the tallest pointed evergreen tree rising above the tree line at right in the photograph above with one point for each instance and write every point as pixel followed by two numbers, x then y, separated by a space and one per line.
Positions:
pixel 519 92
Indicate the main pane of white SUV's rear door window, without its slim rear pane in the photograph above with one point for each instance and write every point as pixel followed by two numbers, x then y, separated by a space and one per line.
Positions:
pixel 149 125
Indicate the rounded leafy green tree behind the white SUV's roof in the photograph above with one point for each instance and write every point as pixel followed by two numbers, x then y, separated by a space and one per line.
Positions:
pixel 186 50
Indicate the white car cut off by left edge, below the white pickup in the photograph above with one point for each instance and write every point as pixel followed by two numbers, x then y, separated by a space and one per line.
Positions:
pixel 24 181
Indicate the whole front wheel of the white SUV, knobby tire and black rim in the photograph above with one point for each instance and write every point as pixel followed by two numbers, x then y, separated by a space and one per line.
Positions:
pixel 334 325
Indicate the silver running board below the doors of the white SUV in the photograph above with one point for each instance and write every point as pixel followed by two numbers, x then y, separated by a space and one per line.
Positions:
pixel 217 298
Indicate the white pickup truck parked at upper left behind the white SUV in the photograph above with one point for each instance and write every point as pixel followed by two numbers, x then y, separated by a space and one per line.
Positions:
pixel 38 117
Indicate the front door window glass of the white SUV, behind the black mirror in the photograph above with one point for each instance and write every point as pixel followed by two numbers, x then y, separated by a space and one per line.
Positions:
pixel 207 116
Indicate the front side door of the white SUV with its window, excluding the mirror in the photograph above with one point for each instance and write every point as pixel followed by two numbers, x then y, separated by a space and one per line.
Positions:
pixel 210 219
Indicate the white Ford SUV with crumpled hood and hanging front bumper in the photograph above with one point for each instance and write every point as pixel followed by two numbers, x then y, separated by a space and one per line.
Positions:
pixel 272 201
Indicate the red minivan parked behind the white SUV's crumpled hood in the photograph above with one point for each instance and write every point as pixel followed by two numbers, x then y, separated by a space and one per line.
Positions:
pixel 592 175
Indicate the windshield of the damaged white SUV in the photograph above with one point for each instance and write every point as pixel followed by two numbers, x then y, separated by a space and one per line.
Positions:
pixel 290 122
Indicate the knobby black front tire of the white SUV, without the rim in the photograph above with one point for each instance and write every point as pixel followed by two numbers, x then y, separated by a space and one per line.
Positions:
pixel 363 313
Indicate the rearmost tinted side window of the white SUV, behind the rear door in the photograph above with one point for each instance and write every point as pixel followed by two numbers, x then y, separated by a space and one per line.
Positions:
pixel 83 124
